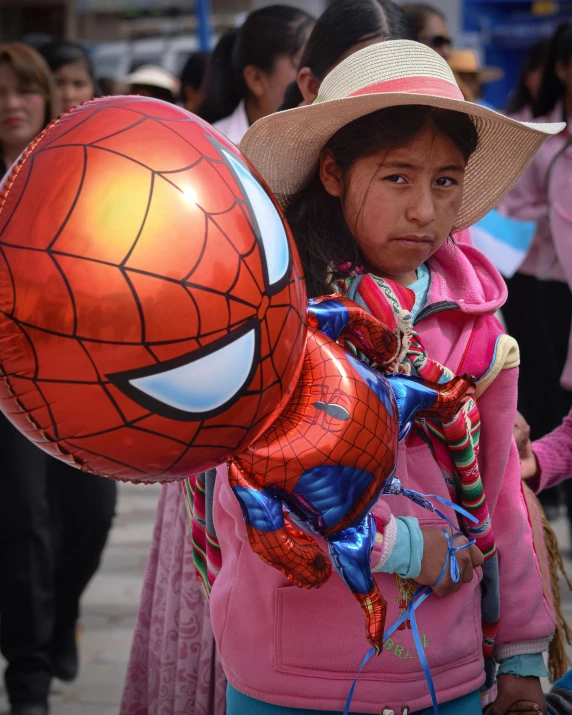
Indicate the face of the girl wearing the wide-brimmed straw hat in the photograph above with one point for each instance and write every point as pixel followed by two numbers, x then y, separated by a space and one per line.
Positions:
pixel 400 204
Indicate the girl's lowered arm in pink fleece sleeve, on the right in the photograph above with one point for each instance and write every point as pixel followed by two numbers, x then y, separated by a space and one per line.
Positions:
pixel 526 624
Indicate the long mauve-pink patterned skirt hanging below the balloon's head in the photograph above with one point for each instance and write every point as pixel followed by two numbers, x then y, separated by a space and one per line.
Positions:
pixel 174 668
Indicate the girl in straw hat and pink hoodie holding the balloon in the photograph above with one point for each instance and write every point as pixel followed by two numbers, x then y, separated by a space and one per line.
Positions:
pixel 374 176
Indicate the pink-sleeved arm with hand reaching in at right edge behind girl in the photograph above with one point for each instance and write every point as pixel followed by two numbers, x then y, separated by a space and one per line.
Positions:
pixel 548 461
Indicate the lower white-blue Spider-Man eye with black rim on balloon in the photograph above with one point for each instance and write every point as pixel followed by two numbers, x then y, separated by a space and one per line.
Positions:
pixel 200 384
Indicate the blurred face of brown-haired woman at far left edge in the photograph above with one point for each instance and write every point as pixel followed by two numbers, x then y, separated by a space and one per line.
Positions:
pixel 22 110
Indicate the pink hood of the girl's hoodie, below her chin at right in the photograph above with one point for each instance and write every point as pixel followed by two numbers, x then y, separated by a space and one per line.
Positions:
pixel 461 274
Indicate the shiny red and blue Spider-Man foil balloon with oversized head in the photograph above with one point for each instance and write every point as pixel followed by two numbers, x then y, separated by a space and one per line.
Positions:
pixel 153 324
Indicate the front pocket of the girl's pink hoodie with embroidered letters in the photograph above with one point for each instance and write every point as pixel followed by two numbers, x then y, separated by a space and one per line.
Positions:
pixel 322 633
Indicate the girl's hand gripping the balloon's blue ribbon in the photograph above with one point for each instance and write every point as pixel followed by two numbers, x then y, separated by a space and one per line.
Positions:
pixel 434 556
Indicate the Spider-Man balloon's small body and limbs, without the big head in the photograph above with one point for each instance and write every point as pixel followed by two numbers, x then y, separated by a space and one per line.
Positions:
pixel 325 460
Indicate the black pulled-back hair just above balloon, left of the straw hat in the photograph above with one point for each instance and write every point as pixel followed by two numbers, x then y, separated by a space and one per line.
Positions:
pixel 266 35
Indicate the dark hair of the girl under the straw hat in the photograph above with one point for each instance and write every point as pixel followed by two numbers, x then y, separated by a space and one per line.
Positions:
pixel 323 238
